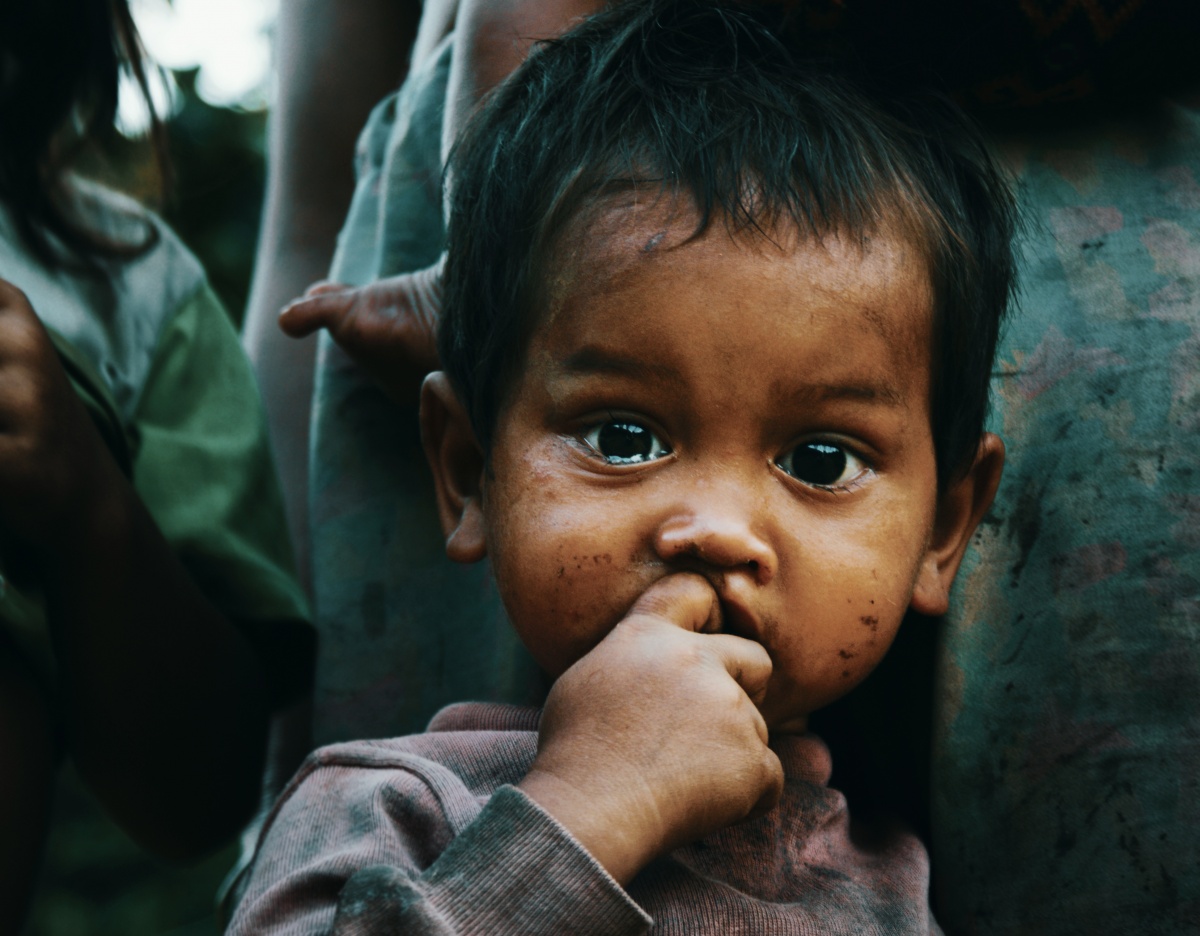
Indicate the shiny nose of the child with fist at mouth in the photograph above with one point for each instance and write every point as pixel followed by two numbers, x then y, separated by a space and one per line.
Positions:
pixel 718 536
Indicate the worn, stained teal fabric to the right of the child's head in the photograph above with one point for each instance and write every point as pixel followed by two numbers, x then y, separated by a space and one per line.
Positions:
pixel 1067 746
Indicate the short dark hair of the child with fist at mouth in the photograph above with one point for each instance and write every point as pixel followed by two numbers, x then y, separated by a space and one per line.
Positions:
pixel 701 99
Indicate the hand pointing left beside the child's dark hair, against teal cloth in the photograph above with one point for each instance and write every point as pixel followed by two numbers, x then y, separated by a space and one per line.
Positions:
pixel 389 327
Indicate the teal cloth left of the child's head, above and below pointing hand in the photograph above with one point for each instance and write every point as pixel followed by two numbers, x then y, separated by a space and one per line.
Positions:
pixel 403 631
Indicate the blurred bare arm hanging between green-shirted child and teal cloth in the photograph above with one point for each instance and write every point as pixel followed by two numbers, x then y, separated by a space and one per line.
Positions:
pixel 335 59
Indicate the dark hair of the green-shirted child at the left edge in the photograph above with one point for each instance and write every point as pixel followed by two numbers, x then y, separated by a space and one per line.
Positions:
pixel 61 64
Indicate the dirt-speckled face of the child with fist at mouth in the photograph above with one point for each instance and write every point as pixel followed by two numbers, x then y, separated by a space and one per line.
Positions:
pixel 755 412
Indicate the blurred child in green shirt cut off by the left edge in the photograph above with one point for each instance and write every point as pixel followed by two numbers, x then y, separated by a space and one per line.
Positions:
pixel 148 603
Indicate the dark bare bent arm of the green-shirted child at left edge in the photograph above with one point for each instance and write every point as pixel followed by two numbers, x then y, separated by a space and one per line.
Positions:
pixel 163 697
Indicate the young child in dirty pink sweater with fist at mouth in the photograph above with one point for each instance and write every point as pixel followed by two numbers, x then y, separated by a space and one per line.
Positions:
pixel 717 338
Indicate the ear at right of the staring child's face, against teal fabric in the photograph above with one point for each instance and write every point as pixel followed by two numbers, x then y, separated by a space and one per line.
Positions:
pixel 959 511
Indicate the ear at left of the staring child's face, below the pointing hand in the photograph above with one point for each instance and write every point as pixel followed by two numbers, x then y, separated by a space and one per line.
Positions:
pixel 458 465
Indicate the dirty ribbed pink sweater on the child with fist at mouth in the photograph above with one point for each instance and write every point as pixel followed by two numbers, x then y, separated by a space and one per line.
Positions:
pixel 427 835
